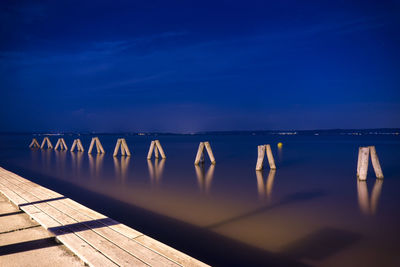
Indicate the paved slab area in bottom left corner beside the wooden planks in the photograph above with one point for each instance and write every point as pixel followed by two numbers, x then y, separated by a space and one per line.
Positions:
pixel 23 242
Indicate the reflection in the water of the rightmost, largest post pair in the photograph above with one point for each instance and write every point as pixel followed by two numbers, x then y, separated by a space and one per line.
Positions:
pixel 367 206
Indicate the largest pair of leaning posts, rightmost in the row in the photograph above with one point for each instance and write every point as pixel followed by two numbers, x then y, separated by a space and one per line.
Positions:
pixel 362 163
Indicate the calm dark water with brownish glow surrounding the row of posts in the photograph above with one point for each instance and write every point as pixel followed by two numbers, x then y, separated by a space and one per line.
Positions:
pixel 311 211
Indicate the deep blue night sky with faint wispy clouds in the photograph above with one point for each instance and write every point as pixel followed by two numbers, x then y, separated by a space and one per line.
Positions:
pixel 186 66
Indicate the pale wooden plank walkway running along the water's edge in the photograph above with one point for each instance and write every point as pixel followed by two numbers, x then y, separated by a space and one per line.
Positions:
pixel 93 237
